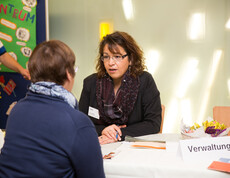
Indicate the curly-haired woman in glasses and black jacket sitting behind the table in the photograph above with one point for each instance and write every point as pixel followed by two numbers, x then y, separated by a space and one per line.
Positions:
pixel 121 98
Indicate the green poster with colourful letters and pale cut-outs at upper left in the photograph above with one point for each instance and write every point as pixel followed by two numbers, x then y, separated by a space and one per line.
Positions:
pixel 18 29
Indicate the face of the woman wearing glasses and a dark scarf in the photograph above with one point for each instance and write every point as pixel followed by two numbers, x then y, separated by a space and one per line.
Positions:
pixel 116 68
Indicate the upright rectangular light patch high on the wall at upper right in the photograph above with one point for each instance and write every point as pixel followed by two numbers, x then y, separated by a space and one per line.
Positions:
pixel 197 26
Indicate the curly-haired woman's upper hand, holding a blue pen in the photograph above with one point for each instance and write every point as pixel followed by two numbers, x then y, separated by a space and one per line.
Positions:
pixel 113 132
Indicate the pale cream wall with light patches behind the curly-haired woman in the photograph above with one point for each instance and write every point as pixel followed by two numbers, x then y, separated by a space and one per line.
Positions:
pixel 160 25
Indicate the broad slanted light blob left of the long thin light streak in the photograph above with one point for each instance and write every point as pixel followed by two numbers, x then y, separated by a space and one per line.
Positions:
pixel 187 76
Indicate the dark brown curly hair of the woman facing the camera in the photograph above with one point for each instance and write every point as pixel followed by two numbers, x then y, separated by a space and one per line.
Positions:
pixel 124 40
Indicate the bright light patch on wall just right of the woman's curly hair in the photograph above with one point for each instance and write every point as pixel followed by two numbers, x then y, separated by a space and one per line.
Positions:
pixel 152 61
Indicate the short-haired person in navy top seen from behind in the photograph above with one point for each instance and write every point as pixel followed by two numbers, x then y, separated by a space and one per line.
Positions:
pixel 46 134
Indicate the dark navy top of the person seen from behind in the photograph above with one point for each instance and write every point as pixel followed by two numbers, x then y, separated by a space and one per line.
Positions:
pixel 46 137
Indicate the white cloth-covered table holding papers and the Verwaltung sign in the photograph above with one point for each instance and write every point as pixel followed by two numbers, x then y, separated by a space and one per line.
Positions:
pixel 145 163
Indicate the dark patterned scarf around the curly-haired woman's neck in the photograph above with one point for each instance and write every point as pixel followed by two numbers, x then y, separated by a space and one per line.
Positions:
pixel 116 109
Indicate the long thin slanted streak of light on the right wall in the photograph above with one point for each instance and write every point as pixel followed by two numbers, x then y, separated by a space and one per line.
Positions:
pixel 216 60
